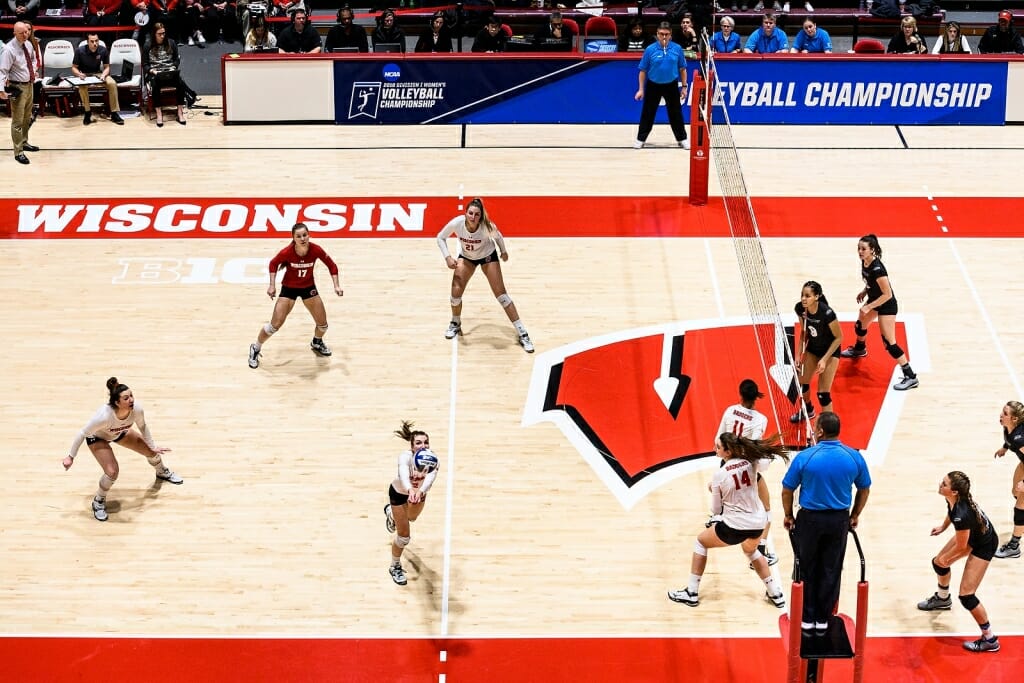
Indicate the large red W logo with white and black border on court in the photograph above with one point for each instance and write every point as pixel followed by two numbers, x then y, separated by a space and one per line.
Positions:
pixel 643 406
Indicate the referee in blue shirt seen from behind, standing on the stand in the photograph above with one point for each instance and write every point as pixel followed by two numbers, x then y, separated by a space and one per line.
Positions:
pixel 826 475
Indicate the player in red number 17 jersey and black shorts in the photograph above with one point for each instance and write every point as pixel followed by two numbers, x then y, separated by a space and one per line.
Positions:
pixel 298 260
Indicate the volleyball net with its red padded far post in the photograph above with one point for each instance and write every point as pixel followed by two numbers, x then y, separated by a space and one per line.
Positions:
pixel 713 140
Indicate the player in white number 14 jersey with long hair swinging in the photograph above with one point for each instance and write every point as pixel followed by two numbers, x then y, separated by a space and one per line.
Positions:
pixel 738 516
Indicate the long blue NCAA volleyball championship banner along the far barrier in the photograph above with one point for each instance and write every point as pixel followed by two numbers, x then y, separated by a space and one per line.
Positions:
pixel 594 91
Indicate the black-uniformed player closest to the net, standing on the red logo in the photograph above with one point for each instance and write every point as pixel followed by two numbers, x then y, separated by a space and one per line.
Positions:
pixel 821 339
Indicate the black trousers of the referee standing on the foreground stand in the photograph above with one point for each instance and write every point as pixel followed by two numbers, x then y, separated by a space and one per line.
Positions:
pixel 822 537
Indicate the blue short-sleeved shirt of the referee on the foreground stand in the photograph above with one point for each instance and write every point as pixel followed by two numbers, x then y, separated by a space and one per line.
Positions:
pixel 825 475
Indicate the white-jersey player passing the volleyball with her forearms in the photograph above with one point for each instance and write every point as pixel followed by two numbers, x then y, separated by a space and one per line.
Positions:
pixel 417 472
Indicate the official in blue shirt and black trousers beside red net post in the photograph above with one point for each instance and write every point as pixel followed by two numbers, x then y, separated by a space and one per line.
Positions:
pixel 662 76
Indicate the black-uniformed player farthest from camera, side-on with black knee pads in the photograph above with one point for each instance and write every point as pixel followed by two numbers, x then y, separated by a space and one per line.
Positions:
pixel 878 303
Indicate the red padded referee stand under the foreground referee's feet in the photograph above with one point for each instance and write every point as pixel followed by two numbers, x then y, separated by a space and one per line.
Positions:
pixel 843 641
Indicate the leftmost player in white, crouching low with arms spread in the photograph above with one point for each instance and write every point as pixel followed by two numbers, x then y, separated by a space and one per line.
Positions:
pixel 112 424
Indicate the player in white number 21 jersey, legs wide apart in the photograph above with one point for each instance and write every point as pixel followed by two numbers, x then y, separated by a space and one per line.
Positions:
pixel 478 248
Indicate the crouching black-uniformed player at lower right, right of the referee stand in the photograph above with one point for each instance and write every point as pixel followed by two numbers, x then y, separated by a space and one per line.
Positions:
pixel 975 540
